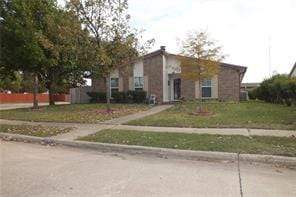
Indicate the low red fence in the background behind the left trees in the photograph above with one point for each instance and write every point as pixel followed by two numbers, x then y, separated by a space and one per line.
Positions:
pixel 28 98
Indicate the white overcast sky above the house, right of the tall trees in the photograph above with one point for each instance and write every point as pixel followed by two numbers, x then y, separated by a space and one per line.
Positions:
pixel 242 27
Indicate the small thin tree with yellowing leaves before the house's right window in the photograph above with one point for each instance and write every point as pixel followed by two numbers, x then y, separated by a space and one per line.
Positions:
pixel 200 59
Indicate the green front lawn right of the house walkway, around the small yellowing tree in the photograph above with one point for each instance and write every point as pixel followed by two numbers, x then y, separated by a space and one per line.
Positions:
pixel 234 115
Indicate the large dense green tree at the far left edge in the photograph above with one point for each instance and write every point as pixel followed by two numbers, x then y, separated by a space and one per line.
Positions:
pixel 21 24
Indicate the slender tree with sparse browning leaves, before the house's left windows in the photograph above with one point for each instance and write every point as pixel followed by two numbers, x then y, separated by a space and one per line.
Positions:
pixel 113 42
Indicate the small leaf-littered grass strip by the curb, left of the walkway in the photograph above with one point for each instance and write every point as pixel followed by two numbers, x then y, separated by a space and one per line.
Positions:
pixel 39 131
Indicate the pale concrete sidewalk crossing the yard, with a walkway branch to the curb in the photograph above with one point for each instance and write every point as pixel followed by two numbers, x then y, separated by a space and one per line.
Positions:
pixel 87 129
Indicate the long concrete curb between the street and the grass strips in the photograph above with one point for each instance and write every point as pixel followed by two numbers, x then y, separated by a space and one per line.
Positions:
pixel 157 152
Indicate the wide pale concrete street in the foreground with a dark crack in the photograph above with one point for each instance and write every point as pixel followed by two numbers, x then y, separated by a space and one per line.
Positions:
pixel 31 170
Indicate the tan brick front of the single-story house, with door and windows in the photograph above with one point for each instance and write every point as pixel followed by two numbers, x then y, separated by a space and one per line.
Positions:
pixel 159 73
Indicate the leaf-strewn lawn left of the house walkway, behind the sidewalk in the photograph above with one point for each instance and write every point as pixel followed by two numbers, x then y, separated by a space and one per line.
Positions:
pixel 76 113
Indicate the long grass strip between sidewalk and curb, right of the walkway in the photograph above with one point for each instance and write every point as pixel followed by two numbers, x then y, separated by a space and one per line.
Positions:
pixel 238 144
